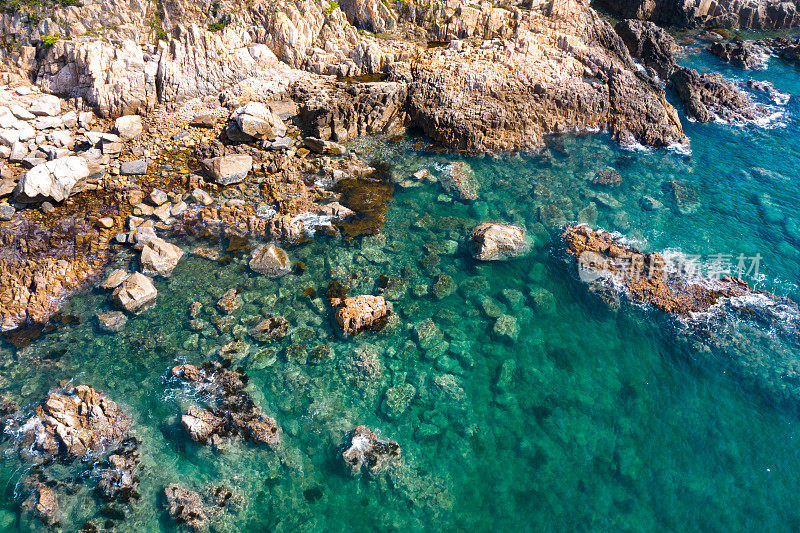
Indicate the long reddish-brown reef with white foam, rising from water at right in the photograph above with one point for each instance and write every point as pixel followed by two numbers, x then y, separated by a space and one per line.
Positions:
pixel 647 278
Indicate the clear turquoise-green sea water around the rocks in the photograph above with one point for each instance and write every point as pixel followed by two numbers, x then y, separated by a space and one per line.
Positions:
pixel 595 417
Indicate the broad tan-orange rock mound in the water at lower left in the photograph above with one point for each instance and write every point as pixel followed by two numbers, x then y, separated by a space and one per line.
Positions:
pixel 77 421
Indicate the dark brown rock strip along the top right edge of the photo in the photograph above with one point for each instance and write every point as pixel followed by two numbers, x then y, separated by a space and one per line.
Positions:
pixel 757 14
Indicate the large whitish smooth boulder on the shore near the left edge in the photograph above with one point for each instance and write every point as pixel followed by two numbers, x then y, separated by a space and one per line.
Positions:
pixel 53 180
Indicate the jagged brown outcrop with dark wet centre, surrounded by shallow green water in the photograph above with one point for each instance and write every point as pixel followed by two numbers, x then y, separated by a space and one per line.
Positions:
pixel 231 410
